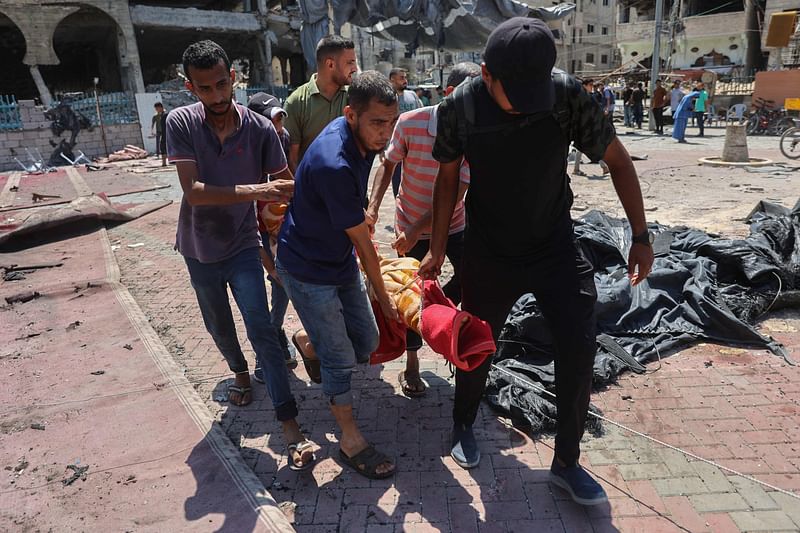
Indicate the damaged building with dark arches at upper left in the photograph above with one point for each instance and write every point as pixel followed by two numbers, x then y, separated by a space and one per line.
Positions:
pixel 61 46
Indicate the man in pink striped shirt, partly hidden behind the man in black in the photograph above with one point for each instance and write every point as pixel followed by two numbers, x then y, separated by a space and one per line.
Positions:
pixel 411 145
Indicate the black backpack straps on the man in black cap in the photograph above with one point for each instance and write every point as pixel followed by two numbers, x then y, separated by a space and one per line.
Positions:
pixel 464 100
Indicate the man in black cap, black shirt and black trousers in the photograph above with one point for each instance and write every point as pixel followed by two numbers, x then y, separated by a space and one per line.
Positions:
pixel 515 130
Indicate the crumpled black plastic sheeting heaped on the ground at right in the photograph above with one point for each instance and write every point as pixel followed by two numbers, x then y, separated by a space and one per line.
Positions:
pixel 702 287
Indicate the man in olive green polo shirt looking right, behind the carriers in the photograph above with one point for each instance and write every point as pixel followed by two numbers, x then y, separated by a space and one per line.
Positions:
pixel 313 105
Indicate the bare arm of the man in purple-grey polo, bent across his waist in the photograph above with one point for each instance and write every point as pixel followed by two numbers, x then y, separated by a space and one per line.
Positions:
pixel 199 193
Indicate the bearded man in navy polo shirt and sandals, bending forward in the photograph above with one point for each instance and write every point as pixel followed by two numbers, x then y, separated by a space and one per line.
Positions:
pixel 325 221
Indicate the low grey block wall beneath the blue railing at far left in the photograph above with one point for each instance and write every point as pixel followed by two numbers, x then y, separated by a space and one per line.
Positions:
pixel 36 134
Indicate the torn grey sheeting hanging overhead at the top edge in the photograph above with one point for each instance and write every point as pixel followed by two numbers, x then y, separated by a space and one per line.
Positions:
pixel 451 24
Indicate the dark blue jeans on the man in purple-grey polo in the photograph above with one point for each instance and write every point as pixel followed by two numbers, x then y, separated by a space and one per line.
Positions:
pixel 244 274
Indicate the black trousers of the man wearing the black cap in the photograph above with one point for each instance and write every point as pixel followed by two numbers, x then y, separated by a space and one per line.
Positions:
pixel 562 281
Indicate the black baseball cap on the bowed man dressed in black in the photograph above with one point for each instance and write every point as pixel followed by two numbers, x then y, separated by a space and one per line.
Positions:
pixel 521 53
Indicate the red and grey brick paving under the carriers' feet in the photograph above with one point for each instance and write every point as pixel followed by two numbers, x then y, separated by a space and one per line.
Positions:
pixel 739 408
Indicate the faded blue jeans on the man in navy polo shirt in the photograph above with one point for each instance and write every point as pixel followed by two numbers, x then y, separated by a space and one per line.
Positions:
pixel 340 325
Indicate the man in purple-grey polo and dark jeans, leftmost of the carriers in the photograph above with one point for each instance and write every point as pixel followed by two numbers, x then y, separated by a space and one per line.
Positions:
pixel 221 151
